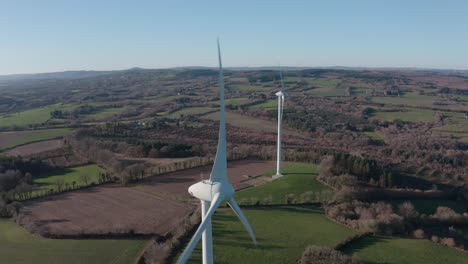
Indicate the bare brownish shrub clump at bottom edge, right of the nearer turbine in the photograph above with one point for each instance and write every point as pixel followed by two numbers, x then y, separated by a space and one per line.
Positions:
pixel 324 255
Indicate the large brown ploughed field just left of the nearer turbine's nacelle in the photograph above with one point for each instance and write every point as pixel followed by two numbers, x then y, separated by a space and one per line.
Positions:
pixel 110 209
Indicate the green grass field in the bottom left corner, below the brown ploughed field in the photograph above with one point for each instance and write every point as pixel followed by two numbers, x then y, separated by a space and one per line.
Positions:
pixel 17 246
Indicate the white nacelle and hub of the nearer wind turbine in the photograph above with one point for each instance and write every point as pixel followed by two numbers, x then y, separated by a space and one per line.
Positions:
pixel 206 190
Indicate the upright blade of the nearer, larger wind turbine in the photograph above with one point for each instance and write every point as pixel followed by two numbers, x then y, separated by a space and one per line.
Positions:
pixel 219 171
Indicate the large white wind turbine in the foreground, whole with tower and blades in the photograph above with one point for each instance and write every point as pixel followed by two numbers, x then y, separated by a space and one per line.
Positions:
pixel 214 191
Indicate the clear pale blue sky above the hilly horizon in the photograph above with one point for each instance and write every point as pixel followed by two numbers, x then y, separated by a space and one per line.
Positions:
pixel 44 35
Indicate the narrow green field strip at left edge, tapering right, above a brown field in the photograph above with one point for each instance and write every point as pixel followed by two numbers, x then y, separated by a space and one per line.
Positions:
pixel 16 138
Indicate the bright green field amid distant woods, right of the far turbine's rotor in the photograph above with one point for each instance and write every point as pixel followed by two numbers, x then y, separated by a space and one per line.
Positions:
pixel 408 115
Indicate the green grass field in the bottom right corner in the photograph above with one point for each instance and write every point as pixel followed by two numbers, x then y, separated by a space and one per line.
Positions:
pixel 401 251
